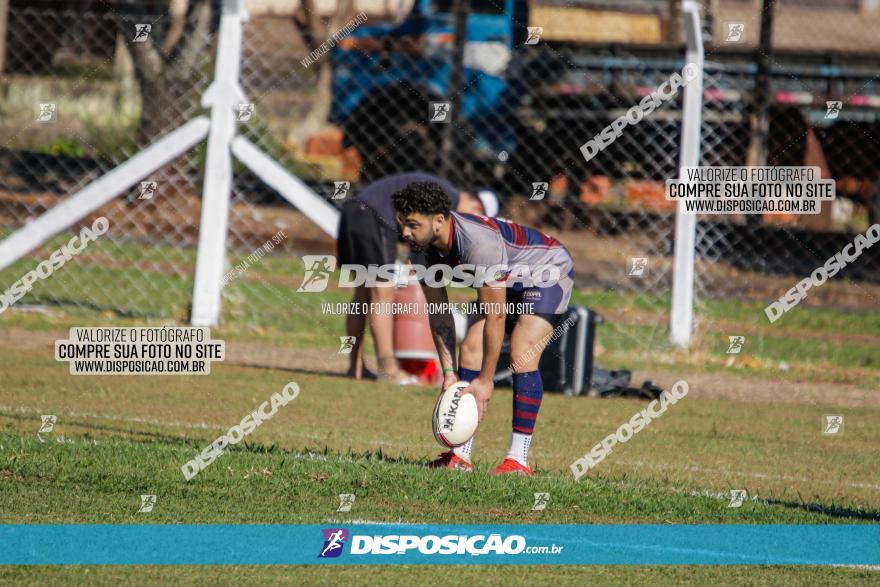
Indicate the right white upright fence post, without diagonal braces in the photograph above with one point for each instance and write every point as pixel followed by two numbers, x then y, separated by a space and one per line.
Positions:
pixel 682 312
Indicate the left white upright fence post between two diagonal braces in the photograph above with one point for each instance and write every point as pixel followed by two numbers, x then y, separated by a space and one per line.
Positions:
pixel 222 97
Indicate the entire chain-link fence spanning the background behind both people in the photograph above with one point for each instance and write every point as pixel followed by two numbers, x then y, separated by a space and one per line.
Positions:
pixel 85 89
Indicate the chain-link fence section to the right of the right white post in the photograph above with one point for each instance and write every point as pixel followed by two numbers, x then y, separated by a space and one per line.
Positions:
pixel 818 98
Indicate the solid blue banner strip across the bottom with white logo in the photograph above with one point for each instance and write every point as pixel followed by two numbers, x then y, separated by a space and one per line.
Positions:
pixel 441 544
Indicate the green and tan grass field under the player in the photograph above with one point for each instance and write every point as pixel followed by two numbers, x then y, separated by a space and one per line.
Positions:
pixel 747 423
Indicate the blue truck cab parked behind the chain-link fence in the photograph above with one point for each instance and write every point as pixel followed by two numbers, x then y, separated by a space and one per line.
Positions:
pixel 386 76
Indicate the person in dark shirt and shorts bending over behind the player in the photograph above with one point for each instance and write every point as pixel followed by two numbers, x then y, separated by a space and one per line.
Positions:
pixel 368 235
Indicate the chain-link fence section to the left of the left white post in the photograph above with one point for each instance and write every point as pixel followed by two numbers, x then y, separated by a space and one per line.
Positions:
pixel 84 90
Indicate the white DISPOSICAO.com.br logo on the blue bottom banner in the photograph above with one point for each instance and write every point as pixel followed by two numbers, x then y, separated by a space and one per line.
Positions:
pixel 335 539
